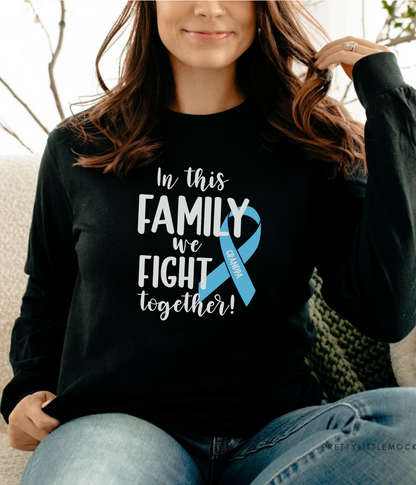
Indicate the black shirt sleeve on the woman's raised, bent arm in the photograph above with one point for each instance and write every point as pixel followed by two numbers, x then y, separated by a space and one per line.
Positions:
pixel 365 248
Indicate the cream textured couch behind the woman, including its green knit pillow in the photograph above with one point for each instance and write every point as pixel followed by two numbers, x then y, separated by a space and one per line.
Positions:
pixel 343 360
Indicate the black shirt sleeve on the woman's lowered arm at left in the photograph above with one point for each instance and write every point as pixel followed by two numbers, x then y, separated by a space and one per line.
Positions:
pixel 51 264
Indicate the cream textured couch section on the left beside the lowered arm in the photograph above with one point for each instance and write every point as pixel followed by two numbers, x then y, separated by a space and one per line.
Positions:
pixel 18 176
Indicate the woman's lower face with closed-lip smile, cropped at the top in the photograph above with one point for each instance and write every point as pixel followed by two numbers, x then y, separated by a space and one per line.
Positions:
pixel 180 21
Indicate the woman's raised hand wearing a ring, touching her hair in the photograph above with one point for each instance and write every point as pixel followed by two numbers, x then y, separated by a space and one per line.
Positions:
pixel 334 53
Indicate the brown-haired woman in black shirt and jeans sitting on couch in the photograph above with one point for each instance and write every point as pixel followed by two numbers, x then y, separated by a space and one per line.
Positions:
pixel 176 227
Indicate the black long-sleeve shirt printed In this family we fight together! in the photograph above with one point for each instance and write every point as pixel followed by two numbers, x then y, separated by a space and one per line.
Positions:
pixel 180 294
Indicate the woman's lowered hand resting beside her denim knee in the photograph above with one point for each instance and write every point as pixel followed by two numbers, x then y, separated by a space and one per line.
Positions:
pixel 28 424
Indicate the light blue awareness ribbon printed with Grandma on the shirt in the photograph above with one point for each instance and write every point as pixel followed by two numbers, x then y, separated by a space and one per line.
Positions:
pixel 233 265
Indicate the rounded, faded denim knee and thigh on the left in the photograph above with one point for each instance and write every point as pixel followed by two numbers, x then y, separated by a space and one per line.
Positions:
pixel 110 449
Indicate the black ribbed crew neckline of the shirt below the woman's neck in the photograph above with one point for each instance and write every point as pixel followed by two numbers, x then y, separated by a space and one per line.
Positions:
pixel 186 120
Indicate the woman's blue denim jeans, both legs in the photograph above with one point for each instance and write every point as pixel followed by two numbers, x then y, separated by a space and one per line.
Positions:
pixel 366 438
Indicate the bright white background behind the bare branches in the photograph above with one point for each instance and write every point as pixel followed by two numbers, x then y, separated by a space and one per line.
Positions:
pixel 25 54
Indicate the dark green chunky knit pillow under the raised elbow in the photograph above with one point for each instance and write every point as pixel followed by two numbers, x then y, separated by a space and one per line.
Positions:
pixel 344 360
